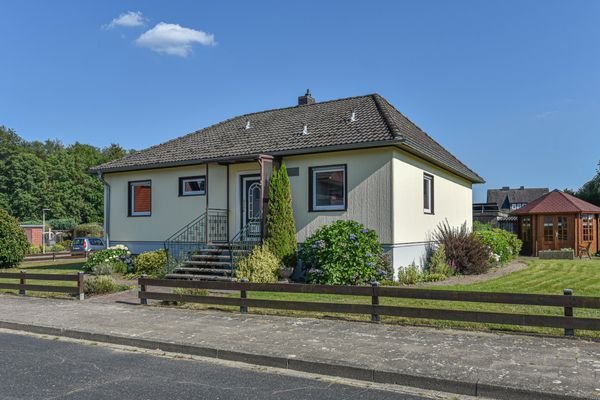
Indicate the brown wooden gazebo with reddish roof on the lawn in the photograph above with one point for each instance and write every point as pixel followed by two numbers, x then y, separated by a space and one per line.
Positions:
pixel 557 221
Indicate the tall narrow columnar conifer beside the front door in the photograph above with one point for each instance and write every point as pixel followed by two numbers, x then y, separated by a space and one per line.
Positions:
pixel 280 227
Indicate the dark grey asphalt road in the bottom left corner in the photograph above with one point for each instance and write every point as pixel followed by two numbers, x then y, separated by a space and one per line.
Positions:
pixel 38 368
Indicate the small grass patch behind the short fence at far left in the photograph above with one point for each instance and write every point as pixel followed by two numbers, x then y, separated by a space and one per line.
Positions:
pixel 61 266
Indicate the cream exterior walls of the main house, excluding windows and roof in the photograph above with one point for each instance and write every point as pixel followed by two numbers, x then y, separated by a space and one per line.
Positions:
pixel 385 193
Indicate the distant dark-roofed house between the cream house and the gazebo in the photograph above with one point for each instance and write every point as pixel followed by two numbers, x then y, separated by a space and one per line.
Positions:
pixel 501 202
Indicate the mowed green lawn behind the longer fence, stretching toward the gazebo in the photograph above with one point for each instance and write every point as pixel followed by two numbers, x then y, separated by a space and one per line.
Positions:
pixel 541 277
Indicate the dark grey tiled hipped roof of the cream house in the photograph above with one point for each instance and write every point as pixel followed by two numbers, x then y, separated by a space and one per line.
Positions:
pixel 280 132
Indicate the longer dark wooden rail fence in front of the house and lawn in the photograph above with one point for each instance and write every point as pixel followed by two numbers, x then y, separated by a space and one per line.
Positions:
pixel 566 301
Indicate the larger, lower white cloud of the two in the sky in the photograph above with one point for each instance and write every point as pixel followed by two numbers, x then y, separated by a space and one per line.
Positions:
pixel 174 39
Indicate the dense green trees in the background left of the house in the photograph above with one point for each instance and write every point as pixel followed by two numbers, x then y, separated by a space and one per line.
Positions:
pixel 36 175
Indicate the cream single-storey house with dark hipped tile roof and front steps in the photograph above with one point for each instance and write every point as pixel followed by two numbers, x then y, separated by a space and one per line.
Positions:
pixel 355 158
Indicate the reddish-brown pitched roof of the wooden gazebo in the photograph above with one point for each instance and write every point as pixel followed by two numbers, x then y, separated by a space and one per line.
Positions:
pixel 557 202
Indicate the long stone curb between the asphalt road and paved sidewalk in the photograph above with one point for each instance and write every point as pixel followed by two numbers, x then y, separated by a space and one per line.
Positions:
pixel 464 387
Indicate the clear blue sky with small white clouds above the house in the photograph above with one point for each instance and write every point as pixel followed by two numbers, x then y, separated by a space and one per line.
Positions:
pixel 510 87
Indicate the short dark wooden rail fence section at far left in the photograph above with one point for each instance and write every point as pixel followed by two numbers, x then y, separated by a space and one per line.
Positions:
pixel 25 276
